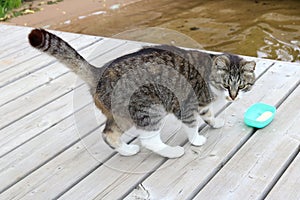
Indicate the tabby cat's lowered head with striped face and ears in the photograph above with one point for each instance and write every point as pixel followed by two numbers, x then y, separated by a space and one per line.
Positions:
pixel 232 74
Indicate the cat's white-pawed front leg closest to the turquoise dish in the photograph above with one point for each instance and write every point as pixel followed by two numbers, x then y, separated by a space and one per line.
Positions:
pixel 207 115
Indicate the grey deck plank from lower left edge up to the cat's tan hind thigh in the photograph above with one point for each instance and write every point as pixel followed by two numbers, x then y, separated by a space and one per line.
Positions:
pixel 27 158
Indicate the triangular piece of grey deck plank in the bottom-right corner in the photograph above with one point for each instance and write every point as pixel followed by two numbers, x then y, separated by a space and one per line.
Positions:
pixel 288 185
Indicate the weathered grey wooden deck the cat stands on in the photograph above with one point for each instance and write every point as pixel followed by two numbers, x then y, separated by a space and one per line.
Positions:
pixel 51 146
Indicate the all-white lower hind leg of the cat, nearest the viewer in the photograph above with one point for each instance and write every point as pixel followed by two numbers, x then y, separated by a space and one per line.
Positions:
pixel 152 141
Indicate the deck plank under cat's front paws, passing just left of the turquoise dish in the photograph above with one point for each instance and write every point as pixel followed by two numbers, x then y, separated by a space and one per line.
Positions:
pixel 179 176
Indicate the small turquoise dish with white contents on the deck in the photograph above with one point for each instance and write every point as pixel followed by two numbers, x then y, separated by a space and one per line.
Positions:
pixel 259 115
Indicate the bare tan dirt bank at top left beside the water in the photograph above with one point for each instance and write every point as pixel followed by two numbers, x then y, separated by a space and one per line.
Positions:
pixel 62 13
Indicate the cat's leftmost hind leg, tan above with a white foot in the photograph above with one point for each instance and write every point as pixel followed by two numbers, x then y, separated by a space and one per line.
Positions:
pixel 112 136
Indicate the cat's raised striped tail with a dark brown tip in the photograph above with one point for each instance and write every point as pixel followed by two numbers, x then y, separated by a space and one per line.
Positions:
pixel 62 51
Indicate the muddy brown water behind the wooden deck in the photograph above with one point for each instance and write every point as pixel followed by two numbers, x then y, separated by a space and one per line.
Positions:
pixel 269 29
